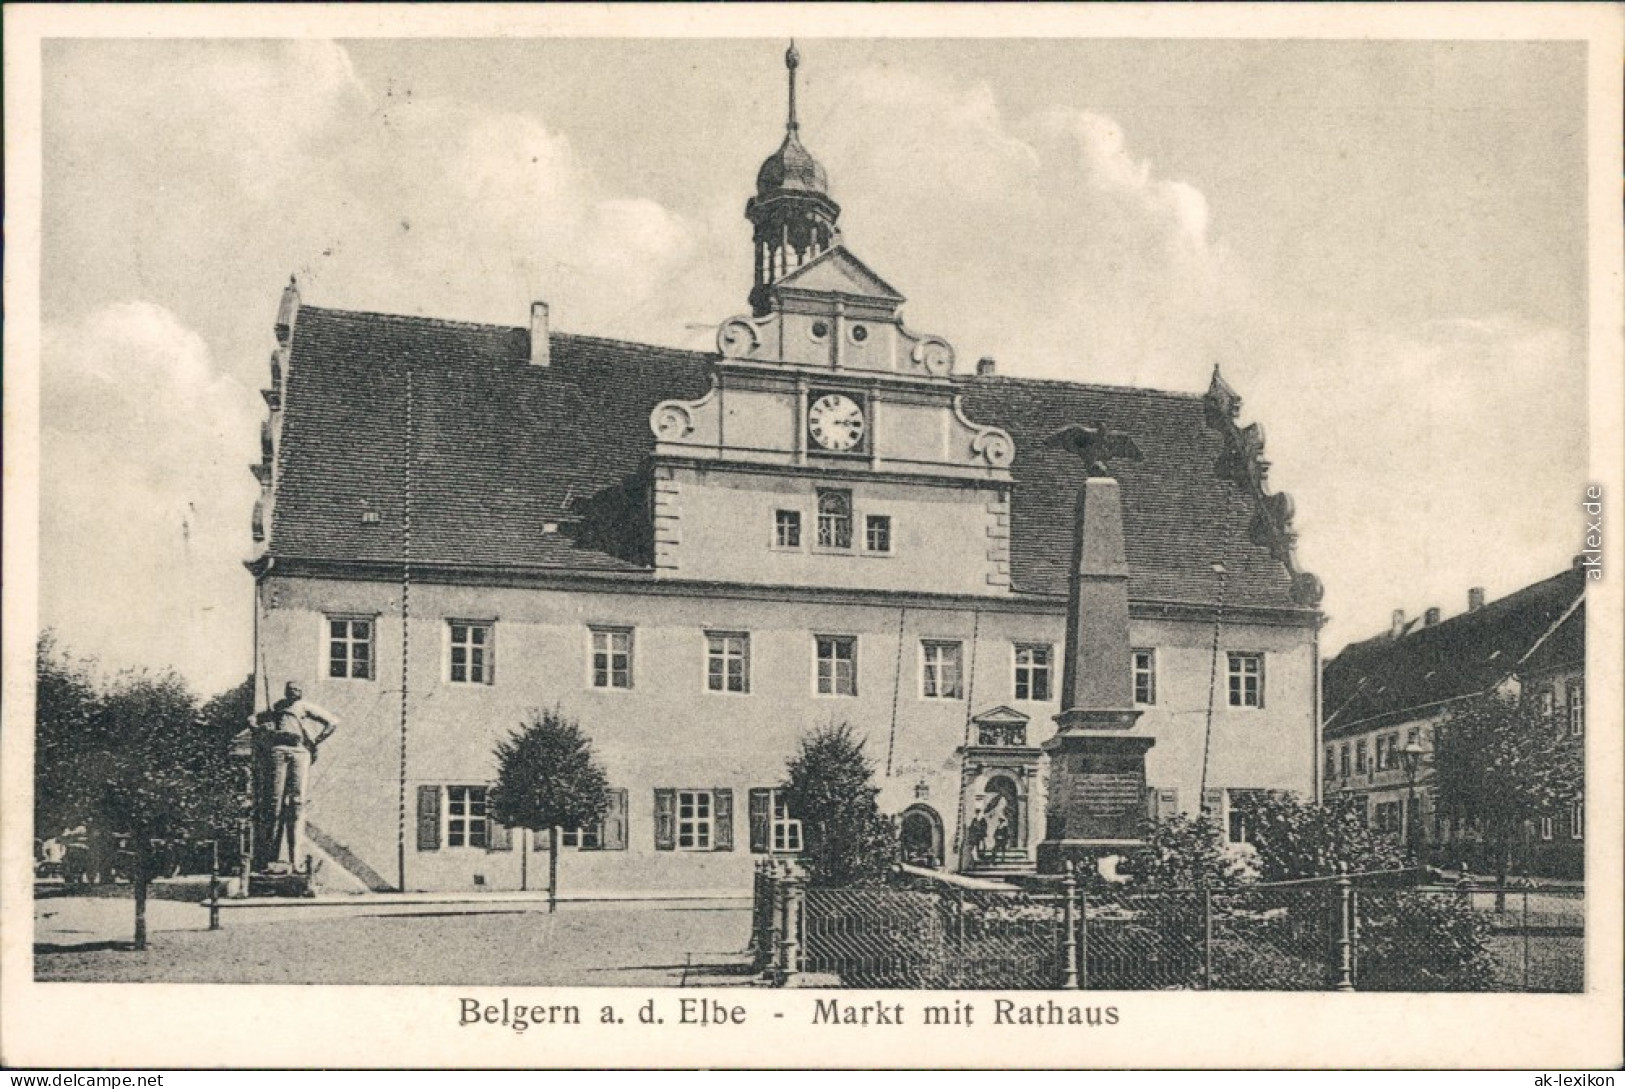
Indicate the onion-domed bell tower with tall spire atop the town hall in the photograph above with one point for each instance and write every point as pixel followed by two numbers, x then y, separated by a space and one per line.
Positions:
pixel 792 210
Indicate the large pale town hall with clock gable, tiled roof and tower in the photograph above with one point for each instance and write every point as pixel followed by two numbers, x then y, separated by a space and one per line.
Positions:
pixel 701 557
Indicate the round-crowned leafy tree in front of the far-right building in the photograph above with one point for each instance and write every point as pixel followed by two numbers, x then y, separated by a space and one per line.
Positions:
pixel 1501 763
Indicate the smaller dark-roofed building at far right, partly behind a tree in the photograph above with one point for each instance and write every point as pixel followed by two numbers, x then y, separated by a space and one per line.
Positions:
pixel 1390 692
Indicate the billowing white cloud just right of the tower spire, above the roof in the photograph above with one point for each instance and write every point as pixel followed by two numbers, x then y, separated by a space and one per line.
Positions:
pixel 1041 240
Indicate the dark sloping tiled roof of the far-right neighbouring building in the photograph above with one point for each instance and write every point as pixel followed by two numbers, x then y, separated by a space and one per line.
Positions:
pixel 1384 679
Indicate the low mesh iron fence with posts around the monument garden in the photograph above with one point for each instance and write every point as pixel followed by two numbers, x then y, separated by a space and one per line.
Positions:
pixel 1312 935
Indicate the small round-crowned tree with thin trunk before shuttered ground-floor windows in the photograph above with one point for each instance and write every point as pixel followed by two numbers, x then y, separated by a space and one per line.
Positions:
pixel 548 779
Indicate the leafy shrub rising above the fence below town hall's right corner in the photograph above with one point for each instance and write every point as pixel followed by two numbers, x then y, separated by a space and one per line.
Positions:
pixel 1296 840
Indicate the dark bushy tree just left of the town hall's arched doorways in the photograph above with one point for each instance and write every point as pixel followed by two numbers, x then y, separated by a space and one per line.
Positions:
pixel 830 787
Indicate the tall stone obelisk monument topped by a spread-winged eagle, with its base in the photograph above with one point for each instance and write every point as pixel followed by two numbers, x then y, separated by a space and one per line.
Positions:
pixel 1098 763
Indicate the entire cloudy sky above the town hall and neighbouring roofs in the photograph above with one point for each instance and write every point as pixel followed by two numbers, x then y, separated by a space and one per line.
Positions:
pixel 1384 245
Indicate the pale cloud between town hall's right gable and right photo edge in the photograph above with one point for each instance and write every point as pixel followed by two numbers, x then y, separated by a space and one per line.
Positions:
pixel 1432 458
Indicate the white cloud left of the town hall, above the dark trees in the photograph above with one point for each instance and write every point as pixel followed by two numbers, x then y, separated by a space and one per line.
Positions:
pixel 144 467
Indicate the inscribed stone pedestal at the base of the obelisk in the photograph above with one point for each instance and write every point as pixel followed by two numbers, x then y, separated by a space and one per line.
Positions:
pixel 1096 792
